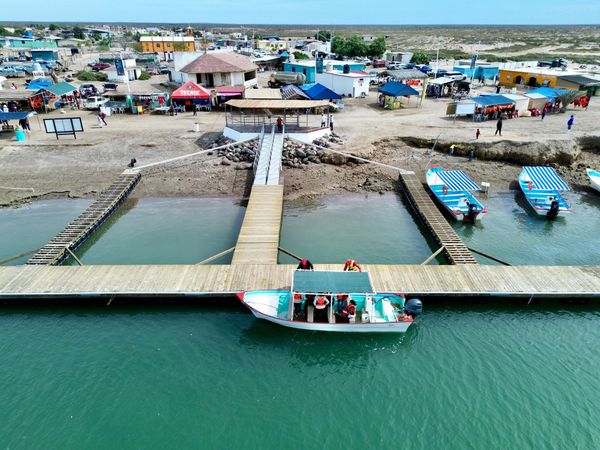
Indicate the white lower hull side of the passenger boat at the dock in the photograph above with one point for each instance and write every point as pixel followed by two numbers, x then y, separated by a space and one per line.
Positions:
pixel 377 327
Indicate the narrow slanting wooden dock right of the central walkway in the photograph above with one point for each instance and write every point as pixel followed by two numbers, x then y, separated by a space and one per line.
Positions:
pixel 454 248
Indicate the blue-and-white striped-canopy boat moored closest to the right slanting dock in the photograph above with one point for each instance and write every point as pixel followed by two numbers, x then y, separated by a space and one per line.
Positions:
pixel 453 189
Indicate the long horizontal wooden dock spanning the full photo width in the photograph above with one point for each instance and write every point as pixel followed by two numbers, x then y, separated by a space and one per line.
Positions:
pixel 178 281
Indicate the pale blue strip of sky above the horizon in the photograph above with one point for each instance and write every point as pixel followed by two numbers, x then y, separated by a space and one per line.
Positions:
pixel 332 12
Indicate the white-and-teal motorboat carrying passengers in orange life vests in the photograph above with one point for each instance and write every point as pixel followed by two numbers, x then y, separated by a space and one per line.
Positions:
pixel 333 301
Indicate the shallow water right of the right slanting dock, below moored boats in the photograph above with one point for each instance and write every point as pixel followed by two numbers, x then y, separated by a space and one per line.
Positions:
pixel 511 231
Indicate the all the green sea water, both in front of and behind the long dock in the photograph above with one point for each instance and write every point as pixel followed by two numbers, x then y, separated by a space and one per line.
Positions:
pixel 211 376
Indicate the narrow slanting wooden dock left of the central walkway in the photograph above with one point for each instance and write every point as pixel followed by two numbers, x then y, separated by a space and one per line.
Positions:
pixel 74 234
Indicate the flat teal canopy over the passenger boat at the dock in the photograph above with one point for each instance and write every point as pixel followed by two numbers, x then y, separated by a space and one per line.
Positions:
pixel 314 282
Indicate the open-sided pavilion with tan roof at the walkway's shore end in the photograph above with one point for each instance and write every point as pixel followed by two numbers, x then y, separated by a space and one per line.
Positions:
pixel 249 115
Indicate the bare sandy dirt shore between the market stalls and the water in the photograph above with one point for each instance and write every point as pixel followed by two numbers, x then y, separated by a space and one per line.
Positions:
pixel 43 166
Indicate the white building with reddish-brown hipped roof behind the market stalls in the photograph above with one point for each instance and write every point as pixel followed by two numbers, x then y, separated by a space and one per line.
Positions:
pixel 219 69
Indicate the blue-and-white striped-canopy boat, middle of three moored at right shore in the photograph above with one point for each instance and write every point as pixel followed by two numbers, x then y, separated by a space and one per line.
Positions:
pixel 542 187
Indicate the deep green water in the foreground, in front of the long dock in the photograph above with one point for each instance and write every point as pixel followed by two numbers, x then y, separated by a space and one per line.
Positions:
pixel 210 377
